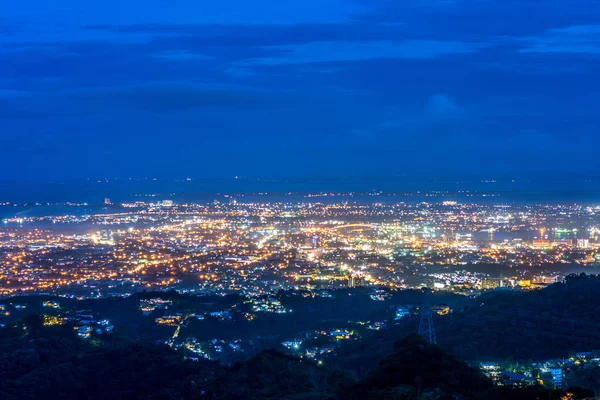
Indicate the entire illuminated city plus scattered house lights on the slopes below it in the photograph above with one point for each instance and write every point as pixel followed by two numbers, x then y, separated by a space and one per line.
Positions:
pixel 310 274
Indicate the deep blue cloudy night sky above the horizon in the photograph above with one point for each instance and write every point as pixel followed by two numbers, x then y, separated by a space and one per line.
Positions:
pixel 177 88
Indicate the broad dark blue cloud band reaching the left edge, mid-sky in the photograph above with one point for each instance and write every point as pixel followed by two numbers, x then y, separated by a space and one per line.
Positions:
pixel 153 97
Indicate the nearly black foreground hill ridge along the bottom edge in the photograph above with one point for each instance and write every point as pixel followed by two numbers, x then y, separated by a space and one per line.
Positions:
pixel 38 362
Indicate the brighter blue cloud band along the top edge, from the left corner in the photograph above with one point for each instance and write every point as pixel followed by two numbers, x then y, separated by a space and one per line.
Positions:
pixel 58 18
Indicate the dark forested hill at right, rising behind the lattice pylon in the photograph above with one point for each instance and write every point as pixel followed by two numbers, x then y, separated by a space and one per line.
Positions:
pixel 555 322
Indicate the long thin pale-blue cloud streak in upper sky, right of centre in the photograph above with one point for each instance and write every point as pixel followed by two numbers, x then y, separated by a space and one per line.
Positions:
pixel 322 52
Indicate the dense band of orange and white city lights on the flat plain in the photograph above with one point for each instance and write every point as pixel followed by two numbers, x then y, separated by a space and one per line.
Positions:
pixel 261 247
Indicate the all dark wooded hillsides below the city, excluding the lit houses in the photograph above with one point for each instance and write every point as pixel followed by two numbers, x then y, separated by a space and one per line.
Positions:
pixel 51 362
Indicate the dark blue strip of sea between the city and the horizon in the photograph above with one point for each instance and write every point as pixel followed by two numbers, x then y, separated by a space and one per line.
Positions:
pixel 564 188
